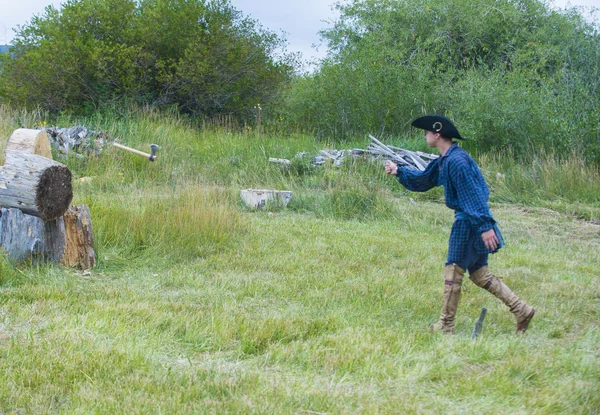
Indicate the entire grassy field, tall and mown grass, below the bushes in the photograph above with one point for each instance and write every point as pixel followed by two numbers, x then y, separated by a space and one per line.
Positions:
pixel 200 305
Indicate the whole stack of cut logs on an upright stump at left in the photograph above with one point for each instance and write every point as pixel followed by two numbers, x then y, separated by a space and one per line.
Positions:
pixel 36 220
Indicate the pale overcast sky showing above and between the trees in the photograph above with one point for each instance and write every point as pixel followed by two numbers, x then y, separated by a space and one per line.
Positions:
pixel 300 19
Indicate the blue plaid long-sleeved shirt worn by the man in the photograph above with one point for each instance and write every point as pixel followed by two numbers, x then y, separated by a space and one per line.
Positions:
pixel 465 191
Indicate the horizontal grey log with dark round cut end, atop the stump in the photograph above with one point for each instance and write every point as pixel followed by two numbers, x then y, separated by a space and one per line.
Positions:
pixel 35 184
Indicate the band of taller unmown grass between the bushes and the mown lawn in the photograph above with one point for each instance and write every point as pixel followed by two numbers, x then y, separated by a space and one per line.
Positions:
pixel 189 198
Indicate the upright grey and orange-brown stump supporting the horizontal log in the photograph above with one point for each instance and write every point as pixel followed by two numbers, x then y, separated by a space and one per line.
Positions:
pixel 68 240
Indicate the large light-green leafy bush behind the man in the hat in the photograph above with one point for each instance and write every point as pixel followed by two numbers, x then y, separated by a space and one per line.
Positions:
pixel 514 73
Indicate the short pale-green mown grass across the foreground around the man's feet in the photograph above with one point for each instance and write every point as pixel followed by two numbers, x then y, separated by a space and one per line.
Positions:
pixel 311 315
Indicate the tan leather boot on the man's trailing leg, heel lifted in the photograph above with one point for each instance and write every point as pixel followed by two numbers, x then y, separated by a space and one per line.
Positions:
pixel 486 280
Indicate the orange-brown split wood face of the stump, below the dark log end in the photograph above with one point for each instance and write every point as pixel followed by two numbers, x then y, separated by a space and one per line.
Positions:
pixel 78 238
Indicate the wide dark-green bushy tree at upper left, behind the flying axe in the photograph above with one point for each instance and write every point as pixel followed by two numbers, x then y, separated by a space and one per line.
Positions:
pixel 202 56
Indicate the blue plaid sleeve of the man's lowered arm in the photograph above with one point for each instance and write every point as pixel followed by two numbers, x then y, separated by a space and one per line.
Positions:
pixel 472 194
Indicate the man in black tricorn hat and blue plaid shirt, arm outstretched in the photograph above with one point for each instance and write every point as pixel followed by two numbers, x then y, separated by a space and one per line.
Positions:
pixel 474 234
